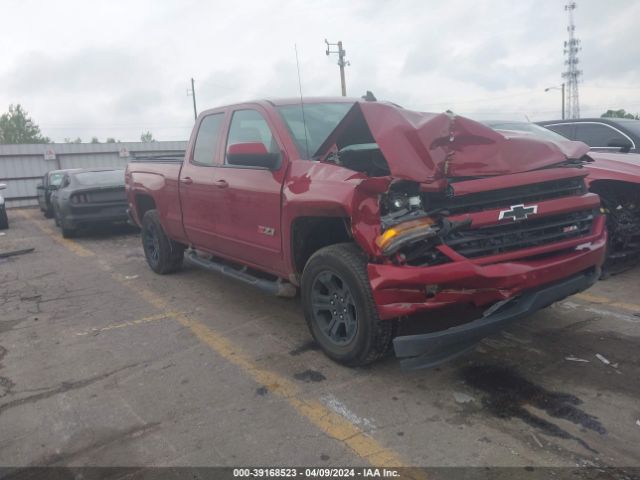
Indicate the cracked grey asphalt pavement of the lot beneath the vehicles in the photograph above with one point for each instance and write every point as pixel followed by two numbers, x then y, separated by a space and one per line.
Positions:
pixel 103 362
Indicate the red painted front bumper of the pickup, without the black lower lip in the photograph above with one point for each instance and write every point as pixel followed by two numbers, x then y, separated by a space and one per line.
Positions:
pixel 403 290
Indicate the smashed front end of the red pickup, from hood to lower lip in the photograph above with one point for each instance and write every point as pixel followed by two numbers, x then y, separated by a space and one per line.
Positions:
pixel 451 212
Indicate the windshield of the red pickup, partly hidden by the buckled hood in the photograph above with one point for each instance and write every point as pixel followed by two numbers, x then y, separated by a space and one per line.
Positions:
pixel 320 118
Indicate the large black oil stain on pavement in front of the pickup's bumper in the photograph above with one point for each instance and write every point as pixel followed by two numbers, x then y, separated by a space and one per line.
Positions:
pixel 508 394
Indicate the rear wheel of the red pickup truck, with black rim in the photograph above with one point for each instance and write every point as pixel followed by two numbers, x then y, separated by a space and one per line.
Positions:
pixel 163 254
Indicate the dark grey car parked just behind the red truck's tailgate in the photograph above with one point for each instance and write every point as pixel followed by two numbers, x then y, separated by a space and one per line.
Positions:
pixel 88 198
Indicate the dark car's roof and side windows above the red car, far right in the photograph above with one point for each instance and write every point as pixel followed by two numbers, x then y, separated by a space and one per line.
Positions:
pixel 609 134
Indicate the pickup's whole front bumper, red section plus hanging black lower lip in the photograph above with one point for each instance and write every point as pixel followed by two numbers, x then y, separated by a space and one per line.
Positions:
pixel 507 288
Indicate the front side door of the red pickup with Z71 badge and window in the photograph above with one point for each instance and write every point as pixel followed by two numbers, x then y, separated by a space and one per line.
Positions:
pixel 249 198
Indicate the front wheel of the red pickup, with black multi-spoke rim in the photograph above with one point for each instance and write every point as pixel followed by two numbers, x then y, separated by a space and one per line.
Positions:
pixel 339 307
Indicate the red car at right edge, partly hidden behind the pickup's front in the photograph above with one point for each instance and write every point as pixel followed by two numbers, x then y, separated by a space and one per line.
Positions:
pixel 616 178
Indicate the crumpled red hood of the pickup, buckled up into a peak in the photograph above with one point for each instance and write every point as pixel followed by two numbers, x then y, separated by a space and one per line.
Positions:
pixel 427 147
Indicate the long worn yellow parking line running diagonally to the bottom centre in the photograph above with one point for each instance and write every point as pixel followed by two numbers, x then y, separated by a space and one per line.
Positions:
pixel 332 424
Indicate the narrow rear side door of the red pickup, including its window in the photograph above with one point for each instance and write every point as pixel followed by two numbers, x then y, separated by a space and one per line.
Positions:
pixel 198 184
